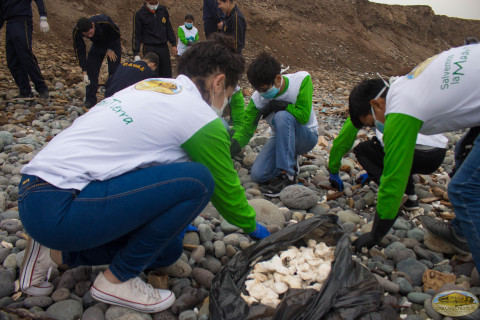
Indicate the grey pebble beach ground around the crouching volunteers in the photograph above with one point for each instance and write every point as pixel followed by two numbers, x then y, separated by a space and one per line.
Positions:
pixel 399 262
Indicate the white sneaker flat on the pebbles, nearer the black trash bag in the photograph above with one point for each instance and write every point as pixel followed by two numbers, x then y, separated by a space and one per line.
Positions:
pixel 133 293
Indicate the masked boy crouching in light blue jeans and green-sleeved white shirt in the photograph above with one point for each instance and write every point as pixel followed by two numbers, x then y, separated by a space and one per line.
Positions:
pixel 285 102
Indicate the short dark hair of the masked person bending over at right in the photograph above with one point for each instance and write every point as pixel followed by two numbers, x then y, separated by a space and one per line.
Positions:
pixel 359 99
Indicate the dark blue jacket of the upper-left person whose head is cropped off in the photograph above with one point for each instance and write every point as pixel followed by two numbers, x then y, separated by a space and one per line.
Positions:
pixel 13 10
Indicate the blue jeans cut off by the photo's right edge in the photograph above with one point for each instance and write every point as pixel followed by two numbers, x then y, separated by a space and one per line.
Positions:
pixel 464 194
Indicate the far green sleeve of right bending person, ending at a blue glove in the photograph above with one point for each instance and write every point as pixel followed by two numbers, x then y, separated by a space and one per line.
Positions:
pixel 342 143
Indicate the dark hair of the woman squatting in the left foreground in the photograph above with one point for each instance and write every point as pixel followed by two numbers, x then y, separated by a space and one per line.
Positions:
pixel 215 55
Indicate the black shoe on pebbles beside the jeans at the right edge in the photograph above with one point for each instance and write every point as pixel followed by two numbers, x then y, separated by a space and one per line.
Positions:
pixel 445 231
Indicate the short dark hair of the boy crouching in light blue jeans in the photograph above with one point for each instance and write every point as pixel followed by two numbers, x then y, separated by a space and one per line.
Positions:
pixel 263 70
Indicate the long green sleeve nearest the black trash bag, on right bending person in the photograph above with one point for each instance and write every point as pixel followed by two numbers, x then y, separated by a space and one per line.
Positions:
pixel 399 137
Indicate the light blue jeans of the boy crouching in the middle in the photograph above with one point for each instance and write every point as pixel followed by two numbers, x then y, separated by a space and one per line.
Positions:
pixel 280 152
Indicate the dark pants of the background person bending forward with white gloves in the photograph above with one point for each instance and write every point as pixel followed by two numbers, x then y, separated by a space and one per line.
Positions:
pixel 94 63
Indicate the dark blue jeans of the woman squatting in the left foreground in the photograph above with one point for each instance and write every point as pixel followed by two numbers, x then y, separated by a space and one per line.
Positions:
pixel 132 222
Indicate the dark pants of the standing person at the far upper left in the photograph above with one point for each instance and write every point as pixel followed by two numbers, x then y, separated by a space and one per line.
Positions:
pixel 21 61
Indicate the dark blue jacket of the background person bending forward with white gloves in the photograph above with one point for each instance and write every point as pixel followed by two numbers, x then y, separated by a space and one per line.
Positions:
pixel 106 33
